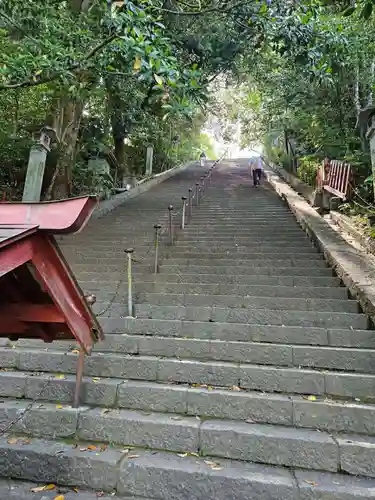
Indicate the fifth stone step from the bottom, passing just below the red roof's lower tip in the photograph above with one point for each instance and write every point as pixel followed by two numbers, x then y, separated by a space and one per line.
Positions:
pixel 262 353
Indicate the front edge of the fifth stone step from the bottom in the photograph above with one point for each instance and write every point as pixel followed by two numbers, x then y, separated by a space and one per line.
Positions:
pixel 267 354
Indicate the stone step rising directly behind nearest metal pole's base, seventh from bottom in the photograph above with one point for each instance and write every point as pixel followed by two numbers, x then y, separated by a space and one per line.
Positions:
pixel 257 316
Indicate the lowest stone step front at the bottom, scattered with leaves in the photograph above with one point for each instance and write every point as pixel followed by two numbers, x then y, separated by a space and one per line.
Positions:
pixel 150 473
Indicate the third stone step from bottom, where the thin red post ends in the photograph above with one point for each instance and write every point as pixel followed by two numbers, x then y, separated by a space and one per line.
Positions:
pixel 309 412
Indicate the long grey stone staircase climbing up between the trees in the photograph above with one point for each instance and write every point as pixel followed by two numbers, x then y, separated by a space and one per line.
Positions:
pixel 246 373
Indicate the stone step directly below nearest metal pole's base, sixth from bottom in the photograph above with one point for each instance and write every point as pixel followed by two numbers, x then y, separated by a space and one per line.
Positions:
pixel 241 332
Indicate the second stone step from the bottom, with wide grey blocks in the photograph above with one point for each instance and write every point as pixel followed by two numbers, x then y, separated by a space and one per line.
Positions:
pixel 246 441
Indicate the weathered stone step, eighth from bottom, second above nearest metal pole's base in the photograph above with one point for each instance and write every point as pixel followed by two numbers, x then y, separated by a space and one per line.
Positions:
pixel 236 301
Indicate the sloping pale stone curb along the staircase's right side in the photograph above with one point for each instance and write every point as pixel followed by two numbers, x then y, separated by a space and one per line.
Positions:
pixel 350 264
